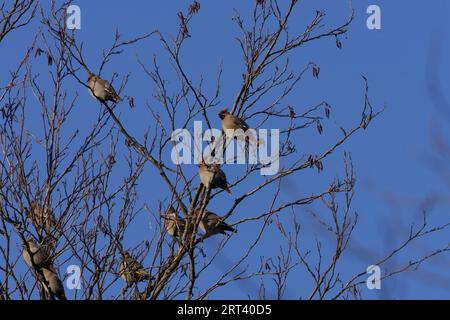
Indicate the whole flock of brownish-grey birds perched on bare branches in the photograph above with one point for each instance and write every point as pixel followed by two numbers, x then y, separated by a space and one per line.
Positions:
pixel 39 258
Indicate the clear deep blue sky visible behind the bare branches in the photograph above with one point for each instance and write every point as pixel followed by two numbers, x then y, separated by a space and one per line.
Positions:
pixel 396 179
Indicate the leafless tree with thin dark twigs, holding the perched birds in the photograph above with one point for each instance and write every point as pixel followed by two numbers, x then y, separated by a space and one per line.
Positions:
pixel 75 192
